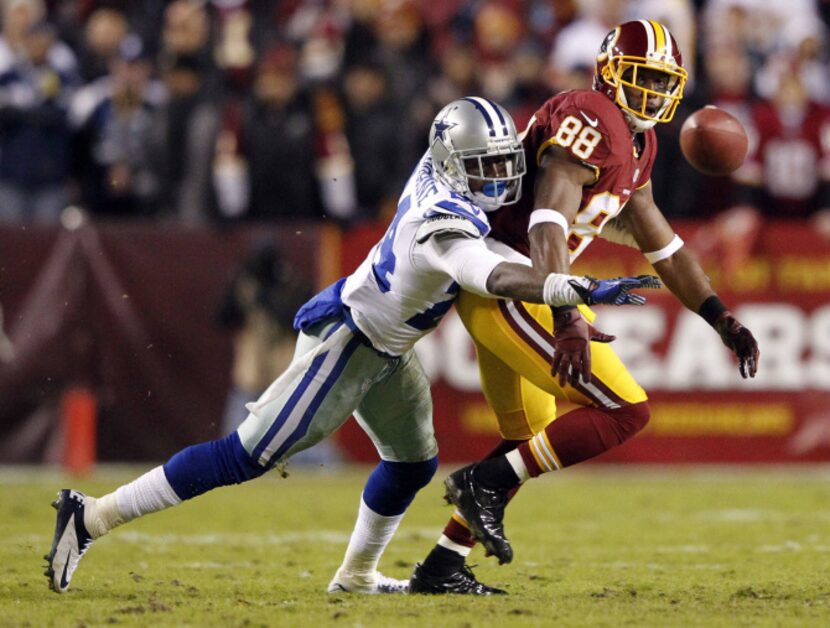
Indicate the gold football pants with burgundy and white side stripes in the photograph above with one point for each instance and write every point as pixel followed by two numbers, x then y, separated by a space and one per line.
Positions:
pixel 513 340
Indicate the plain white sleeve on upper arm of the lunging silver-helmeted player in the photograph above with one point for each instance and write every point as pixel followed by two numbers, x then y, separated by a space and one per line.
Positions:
pixel 468 261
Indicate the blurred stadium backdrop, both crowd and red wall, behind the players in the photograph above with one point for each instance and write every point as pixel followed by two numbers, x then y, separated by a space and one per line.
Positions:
pixel 176 176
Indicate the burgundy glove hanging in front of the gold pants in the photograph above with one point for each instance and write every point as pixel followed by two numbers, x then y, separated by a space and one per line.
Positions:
pixel 572 336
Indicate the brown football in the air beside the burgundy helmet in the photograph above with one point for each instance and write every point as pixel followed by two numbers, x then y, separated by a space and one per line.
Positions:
pixel 713 141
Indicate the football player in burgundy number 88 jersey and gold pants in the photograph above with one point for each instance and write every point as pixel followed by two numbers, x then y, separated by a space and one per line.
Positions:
pixel 589 157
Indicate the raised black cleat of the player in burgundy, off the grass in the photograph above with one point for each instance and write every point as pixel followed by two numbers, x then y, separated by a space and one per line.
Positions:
pixel 483 509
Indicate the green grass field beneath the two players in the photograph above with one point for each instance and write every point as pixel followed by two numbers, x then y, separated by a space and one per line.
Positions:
pixel 596 547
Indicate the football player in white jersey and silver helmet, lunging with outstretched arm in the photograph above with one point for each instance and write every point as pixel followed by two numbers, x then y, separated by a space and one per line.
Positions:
pixel 354 353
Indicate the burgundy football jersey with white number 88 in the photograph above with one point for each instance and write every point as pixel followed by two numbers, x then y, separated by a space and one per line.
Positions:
pixel 594 131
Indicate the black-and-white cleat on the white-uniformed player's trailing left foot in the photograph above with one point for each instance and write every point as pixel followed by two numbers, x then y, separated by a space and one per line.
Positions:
pixel 71 540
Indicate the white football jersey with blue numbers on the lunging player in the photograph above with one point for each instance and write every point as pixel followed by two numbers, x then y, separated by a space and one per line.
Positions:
pixel 401 290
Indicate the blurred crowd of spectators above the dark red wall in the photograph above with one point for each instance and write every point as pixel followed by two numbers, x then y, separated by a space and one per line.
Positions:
pixel 215 112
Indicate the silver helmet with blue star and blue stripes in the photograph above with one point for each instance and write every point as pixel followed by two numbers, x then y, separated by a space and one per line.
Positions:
pixel 477 152
